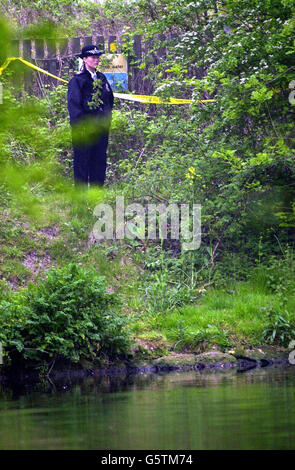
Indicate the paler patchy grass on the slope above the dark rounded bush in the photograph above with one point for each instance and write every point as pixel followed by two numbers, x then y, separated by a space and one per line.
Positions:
pixel 60 235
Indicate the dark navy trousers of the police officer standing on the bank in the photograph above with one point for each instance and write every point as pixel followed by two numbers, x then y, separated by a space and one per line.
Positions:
pixel 90 161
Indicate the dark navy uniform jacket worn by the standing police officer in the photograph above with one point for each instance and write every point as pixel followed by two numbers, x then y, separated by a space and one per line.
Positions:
pixel 80 94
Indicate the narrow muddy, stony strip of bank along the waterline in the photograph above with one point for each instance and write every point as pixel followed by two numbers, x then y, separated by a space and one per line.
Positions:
pixel 241 360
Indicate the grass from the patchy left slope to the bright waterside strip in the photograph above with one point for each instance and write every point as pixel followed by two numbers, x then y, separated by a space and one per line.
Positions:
pixel 236 315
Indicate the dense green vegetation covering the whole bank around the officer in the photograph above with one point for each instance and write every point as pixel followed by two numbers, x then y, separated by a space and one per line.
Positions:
pixel 235 157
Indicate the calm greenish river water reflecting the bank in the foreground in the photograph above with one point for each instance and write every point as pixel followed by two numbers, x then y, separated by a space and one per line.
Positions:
pixel 176 410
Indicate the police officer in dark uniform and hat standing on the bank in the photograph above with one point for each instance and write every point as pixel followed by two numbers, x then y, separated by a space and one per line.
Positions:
pixel 90 103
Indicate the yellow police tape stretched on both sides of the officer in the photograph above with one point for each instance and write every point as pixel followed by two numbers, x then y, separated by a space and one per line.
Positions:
pixel 124 96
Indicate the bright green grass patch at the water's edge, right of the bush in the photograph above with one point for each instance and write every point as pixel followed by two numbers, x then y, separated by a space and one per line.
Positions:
pixel 243 313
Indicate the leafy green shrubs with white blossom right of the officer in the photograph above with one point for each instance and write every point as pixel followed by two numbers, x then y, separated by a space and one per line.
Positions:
pixel 234 156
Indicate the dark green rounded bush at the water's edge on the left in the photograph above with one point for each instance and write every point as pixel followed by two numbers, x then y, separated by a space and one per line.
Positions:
pixel 69 315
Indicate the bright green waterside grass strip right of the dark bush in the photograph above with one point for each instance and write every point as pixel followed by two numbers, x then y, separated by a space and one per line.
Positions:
pixel 224 318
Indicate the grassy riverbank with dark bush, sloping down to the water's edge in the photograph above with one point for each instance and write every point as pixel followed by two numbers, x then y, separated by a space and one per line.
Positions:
pixel 176 318
